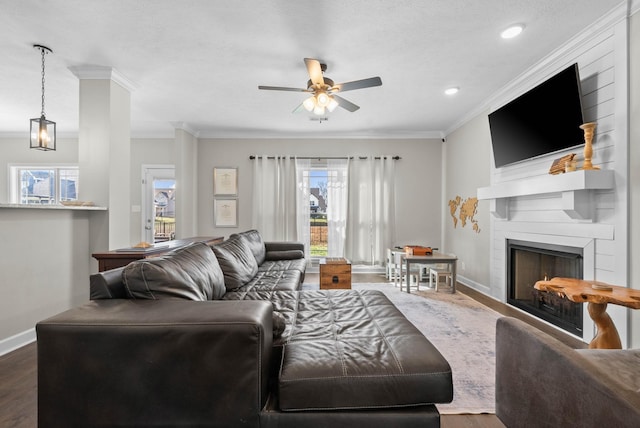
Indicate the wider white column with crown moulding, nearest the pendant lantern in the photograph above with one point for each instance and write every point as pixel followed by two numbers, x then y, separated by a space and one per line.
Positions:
pixel 104 153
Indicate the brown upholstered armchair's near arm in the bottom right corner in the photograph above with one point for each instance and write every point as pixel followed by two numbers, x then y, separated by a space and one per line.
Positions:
pixel 544 383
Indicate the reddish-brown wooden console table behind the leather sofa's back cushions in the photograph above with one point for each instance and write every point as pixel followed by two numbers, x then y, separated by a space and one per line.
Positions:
pixel 122 257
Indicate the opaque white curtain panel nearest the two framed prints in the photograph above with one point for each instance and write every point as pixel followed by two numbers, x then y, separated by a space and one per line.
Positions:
pixel 274 198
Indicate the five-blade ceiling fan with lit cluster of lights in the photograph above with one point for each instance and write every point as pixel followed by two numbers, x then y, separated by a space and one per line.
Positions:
pixel 323 90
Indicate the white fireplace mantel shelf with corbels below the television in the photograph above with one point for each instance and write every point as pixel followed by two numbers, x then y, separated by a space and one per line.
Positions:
pixel 576 188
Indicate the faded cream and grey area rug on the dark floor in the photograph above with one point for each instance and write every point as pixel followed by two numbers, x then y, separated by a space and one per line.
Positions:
pixel 463 330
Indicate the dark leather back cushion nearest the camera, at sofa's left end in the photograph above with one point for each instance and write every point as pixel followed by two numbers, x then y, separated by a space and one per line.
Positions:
pixel 190 272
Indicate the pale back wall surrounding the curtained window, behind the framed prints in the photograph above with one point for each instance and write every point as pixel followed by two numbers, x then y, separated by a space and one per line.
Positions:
pixel 418 185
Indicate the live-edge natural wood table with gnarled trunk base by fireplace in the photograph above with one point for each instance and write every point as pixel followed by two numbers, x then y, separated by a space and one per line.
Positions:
pixel 581 291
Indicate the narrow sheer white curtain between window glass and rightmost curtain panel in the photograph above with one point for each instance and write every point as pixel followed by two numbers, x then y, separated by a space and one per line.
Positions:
pixel 337 191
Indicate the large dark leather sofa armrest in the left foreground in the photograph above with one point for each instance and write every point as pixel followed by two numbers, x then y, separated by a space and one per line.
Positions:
pixel 155 362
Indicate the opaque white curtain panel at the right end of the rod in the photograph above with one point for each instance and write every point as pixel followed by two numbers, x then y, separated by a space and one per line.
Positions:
pixel 371 210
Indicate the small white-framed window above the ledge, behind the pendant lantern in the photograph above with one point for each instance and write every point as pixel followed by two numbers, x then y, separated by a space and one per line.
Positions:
pixel 44 185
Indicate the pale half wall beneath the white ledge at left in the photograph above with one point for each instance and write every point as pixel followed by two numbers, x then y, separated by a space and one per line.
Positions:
pixel 44 260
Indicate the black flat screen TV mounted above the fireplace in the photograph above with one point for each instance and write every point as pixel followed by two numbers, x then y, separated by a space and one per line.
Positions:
pixel 544 120
